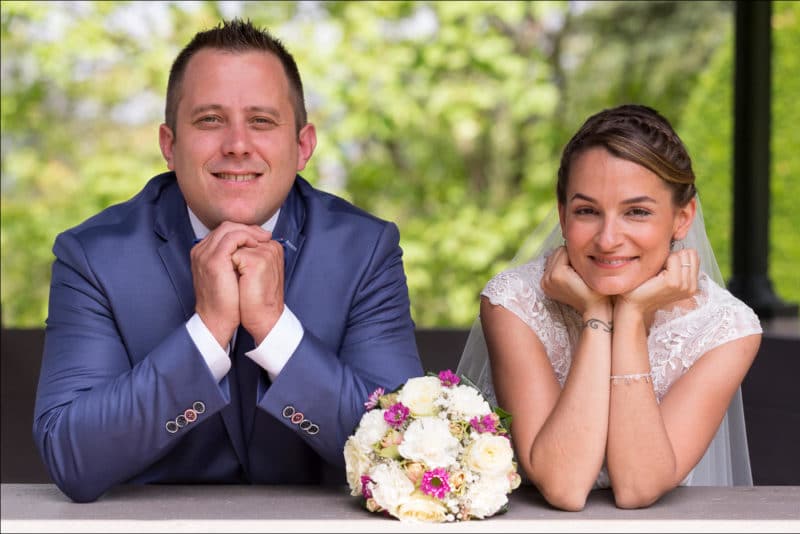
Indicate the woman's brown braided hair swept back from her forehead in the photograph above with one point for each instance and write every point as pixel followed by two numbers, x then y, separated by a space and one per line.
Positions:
pixel 638 134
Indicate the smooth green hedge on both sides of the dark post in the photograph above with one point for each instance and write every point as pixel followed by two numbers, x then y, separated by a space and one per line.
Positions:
pixel 707 129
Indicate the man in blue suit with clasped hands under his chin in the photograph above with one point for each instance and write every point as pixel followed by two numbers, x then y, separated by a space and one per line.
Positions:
pixel 226 324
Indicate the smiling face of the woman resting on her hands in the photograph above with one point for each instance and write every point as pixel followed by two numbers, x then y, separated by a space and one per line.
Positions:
pixel 618 221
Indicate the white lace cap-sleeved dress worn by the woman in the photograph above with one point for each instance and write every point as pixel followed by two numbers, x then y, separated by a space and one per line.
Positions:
pixel 676 340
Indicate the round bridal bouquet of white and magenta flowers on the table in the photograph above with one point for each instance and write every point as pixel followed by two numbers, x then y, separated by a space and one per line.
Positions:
pixel 433 450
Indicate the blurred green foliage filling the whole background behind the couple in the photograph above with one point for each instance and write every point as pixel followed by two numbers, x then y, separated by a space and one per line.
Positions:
pixel 446 117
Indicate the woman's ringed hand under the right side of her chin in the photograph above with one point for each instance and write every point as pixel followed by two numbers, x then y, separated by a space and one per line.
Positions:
pixel 677 281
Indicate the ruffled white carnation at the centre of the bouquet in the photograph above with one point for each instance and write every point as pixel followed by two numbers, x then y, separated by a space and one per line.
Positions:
pixel 428 440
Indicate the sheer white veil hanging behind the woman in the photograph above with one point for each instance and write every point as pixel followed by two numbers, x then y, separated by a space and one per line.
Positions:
pixel 727 460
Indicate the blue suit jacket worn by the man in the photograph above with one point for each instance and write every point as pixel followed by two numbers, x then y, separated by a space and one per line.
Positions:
pixel 119 364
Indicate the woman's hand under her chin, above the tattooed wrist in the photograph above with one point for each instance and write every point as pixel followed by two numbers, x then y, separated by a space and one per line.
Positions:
pixel 562 283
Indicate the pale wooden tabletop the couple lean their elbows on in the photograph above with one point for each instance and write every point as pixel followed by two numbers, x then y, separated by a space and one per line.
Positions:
pixel 224 508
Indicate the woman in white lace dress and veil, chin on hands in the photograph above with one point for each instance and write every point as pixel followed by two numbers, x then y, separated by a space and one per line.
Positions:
pixel 615 349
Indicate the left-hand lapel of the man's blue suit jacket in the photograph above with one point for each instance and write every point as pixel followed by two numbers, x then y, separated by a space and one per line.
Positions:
pixel 173 226
